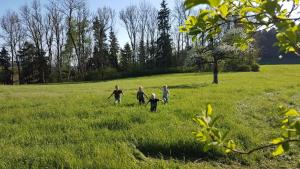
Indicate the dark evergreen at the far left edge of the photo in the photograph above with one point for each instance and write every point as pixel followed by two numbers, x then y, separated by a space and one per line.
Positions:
pixel 5 73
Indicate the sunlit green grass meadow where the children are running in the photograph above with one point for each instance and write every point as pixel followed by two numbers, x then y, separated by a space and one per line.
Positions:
pixel 75 126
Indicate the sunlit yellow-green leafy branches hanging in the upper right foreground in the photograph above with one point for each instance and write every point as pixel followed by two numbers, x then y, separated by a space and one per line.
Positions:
pixel 251 15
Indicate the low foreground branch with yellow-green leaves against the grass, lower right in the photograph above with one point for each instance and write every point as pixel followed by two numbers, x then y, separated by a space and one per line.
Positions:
pixel 211 136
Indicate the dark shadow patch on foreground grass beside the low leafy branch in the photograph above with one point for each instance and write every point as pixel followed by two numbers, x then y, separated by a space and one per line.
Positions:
pixel 183 151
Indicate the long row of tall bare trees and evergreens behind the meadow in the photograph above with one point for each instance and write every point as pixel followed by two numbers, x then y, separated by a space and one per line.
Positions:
pixel 64 40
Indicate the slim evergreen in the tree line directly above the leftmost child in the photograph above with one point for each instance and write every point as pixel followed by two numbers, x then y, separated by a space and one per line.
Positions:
pixel 113 49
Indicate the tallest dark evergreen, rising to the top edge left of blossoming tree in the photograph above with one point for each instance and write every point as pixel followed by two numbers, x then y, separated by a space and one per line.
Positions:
pixel 164 48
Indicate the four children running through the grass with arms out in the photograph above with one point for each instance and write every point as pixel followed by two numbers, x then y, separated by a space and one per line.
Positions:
pixel 140 96
